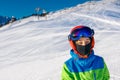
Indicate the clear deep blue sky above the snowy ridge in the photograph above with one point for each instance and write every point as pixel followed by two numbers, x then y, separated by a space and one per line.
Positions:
pixel 20 8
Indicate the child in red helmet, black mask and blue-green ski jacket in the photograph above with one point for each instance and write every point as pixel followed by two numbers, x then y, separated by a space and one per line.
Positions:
pixel 84 64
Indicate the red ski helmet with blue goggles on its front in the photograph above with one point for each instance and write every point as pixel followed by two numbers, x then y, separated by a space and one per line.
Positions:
pixel 78 32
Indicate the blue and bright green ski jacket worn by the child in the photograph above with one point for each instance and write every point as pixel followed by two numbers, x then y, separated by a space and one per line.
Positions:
pixel 91 68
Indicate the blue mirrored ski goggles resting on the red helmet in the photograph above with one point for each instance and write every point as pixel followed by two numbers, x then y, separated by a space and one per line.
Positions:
pixel 81 32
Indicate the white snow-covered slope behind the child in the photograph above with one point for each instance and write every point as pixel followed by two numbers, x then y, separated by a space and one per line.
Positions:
pixel 33 49
